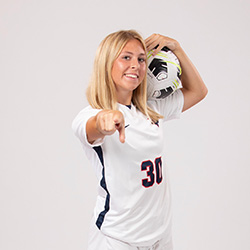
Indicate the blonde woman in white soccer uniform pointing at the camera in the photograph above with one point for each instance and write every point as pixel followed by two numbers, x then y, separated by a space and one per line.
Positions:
pixel 122 135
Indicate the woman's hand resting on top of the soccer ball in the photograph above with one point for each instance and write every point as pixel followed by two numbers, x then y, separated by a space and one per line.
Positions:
pixel 162 41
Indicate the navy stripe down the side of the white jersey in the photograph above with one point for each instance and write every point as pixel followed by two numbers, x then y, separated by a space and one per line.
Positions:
pixel 101 216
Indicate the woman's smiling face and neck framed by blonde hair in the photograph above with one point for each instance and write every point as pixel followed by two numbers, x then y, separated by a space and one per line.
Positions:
pixel 129 70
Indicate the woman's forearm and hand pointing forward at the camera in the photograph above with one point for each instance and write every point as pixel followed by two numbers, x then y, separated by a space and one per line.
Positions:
pixel 106 122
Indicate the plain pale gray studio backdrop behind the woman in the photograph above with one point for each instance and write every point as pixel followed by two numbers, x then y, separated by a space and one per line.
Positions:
pixel 47 186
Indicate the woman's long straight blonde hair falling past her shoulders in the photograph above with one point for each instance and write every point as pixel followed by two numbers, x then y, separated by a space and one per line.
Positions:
pixel 101 92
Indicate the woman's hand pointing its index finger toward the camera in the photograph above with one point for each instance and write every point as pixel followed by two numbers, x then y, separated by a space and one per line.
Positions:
pixel 108 121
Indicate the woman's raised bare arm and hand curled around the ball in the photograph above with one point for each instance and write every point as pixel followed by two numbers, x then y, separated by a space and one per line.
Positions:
pixel 194 89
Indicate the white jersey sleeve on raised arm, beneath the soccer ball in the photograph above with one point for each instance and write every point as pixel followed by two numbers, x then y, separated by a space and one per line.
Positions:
pixel 170 107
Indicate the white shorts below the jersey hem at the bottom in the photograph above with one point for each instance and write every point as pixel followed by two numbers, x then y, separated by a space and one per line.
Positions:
pixel 99 241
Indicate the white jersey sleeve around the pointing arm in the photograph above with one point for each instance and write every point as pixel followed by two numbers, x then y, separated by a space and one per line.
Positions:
pixel 79 126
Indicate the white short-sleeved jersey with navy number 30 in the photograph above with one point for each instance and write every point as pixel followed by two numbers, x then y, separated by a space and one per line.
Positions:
pixel 133 203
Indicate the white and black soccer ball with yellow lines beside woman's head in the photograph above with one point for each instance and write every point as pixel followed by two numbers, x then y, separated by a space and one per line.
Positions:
pixel 163 74
